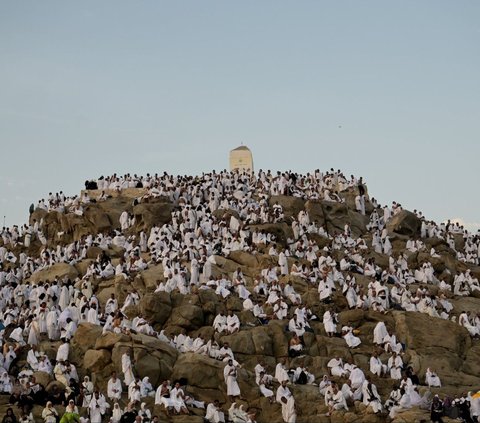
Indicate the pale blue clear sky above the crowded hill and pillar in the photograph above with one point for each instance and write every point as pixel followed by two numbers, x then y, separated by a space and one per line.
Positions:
pixel 385 90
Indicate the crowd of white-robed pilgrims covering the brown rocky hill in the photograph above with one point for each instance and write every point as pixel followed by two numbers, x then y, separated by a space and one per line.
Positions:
pixel 187 247
